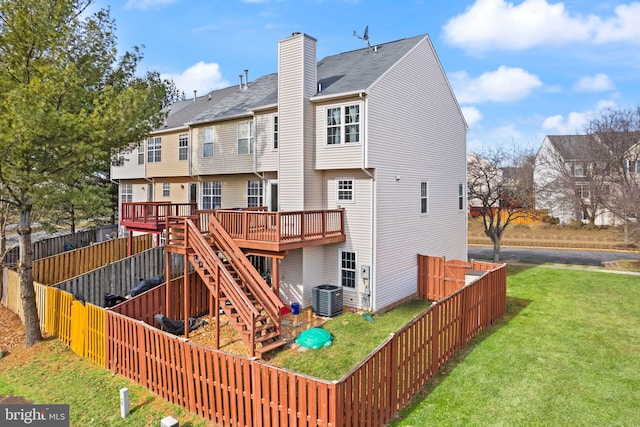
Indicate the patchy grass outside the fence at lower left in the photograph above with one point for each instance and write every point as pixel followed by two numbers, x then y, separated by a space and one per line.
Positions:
pixel 50 373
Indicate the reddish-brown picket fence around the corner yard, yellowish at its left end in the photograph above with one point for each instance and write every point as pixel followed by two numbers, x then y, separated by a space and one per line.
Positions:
pixel 238 391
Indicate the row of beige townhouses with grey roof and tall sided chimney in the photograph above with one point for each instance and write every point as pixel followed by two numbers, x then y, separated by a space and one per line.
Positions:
pixel 376 132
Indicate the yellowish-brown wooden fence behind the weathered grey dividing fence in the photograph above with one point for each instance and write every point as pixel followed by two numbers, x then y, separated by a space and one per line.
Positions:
pixel 68 264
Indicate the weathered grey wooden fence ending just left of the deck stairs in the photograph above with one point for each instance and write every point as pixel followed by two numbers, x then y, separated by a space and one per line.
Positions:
pixel 121 276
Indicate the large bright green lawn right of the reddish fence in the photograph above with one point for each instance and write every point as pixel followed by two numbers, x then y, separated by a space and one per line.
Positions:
pixel 567 353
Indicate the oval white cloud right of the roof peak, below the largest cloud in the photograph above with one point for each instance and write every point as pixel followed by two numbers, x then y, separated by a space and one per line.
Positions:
pixel 503 85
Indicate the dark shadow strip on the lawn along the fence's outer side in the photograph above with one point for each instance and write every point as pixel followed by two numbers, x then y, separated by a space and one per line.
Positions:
pixel 514 307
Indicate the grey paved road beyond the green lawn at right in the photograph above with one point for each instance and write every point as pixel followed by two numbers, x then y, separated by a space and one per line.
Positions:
pixel 559 256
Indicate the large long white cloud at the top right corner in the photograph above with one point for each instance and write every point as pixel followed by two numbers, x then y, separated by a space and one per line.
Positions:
pixel 499 24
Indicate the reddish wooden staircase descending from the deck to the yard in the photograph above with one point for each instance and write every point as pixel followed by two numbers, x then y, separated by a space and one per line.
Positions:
pixel 247 300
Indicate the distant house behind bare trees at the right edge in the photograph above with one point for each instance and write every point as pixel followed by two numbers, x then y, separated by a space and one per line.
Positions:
pixel 578 176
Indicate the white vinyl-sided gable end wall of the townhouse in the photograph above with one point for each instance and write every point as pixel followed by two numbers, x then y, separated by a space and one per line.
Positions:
pixel 414 101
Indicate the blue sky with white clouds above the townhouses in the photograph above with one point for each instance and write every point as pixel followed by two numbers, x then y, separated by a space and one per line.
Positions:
pixel 520 69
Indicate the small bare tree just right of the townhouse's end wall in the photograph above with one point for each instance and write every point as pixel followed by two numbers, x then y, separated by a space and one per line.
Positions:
pixel 500 185
